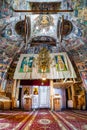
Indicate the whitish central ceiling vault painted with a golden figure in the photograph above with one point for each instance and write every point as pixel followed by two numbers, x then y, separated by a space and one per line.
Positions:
pixel 42 24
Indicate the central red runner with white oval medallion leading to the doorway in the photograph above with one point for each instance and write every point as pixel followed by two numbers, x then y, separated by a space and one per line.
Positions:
pixel 45 120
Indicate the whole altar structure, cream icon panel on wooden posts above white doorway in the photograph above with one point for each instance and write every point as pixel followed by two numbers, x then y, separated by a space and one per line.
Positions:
pixel 43 79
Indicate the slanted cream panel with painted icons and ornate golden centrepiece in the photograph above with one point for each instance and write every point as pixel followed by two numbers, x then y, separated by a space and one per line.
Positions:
pixel 44 64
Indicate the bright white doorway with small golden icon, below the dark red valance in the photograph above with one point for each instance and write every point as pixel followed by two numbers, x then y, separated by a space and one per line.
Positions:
pixel 41 97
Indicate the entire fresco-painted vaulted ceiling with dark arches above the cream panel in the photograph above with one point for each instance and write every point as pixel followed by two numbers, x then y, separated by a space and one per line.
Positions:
pixel 43 29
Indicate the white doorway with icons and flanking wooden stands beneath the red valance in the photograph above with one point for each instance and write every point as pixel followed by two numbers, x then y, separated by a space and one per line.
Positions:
pixel 34 97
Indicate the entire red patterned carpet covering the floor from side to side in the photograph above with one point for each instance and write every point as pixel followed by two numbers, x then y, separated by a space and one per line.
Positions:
pixel 43 120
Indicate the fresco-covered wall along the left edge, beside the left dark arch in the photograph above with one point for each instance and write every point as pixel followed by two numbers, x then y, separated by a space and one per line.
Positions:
pixel 9 40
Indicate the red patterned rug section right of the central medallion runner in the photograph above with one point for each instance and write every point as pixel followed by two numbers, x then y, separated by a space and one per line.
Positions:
pixel 71 119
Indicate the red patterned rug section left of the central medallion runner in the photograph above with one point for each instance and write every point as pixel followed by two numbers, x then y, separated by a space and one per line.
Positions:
pixel 14 120
